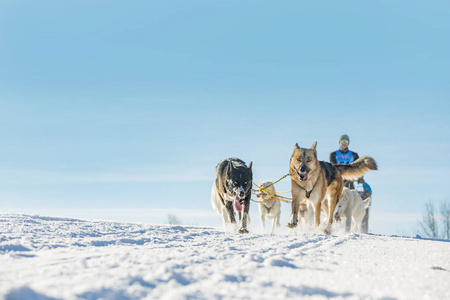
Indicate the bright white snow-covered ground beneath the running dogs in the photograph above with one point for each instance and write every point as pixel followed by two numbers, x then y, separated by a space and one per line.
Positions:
pixel 61 258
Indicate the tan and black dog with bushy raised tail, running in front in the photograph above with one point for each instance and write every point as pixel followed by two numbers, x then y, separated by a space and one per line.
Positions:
pixel 312 180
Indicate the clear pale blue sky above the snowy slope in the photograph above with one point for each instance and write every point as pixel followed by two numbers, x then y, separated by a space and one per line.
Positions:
pixel 122 110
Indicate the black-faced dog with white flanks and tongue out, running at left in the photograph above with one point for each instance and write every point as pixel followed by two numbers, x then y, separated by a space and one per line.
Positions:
pixel 232 190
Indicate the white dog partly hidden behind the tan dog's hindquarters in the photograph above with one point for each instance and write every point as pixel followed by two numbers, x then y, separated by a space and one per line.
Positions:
pixel 353 208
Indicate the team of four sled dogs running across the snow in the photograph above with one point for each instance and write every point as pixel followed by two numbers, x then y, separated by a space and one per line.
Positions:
pixel 316 186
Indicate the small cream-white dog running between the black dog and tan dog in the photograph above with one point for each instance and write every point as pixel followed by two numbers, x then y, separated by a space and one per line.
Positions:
pixel 269 206
